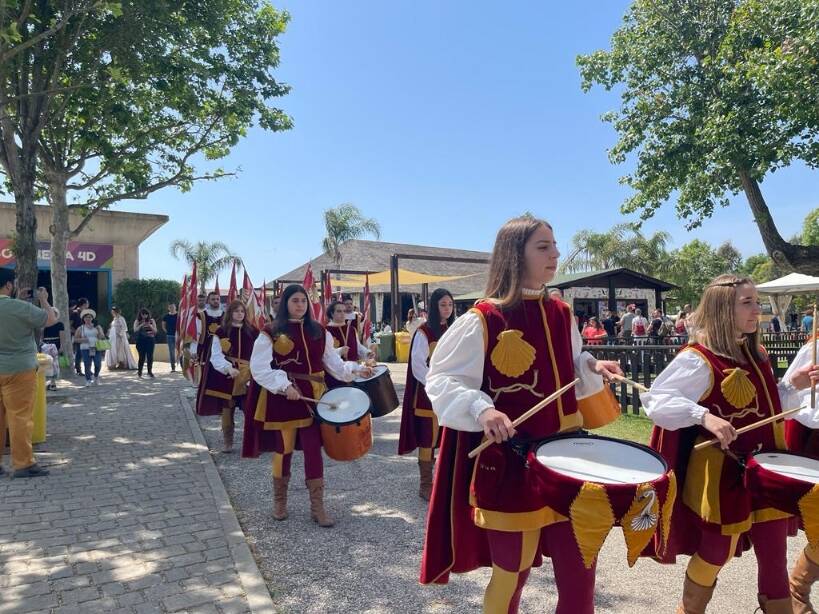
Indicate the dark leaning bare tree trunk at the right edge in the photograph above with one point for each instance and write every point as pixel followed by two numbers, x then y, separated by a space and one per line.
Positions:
pixel 790 257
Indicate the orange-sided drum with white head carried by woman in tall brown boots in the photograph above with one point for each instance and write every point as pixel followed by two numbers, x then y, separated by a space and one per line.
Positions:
pixel 346 428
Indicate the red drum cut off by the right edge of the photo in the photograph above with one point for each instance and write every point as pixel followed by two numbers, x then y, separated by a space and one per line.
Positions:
pixel 788 482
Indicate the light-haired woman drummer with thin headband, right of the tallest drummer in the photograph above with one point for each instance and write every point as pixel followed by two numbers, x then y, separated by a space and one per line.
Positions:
pixel 722 381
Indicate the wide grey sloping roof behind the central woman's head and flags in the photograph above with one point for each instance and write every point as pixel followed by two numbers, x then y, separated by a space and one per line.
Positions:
pixel 374 256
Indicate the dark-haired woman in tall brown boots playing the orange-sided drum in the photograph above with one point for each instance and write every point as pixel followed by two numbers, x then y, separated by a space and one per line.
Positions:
pixel 288 364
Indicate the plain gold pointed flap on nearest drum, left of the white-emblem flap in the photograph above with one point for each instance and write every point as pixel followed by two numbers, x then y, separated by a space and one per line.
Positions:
pixel 592 520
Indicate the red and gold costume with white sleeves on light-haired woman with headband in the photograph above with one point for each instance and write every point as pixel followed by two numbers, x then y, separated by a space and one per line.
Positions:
pixel 716 516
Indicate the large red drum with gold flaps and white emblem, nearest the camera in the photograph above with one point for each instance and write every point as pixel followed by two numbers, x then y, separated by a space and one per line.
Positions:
pixel 599 482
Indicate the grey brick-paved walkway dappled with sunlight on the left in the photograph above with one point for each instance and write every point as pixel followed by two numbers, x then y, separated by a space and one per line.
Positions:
pixel 133 517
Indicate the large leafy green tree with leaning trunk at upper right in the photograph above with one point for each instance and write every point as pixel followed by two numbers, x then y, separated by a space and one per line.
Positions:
pixel 715 94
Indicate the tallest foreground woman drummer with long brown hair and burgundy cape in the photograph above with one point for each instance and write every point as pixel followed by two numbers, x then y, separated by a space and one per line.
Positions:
pixel 495 362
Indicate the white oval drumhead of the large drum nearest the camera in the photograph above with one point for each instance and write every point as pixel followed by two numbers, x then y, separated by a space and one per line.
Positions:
pixel 600 460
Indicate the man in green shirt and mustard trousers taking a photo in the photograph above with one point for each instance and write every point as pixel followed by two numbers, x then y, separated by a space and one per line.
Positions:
pixel 20 322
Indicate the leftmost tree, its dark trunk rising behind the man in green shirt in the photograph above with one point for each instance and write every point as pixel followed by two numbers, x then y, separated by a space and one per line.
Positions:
pixel 36 42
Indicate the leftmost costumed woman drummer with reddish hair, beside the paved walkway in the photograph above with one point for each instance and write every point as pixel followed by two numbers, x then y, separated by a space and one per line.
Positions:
pixel 226 374
